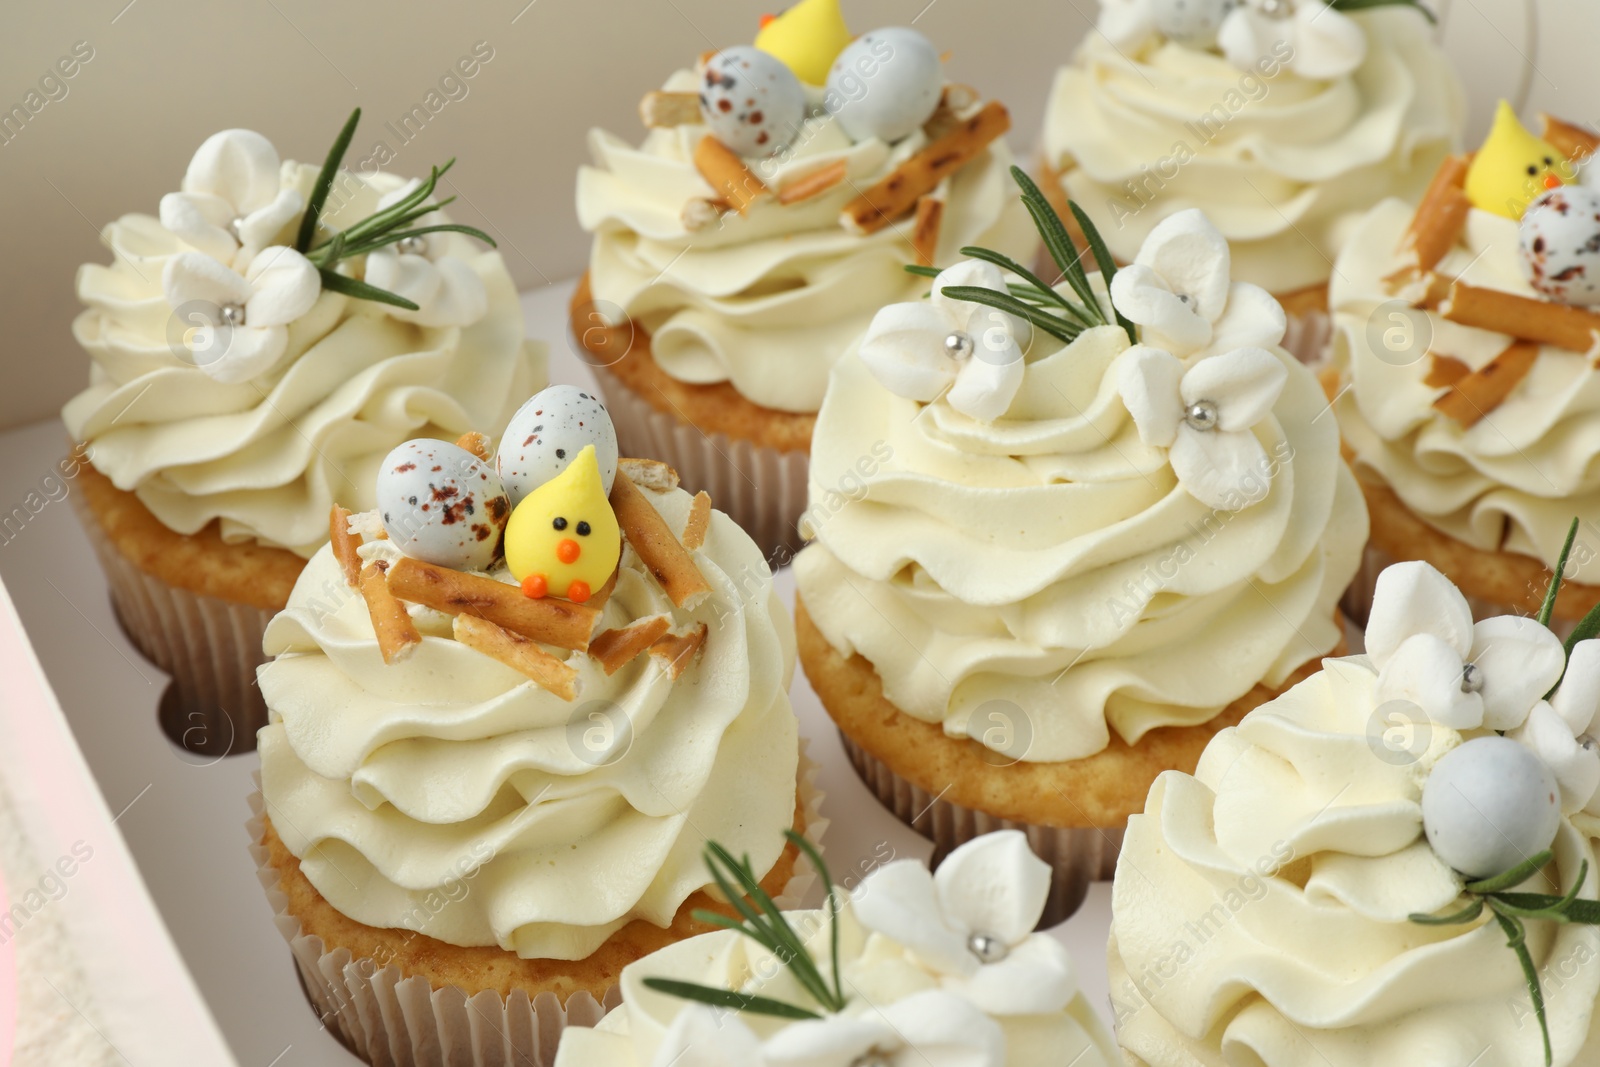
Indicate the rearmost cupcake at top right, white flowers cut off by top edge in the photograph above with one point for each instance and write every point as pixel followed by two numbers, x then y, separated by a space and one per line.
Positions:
pixel 1284 121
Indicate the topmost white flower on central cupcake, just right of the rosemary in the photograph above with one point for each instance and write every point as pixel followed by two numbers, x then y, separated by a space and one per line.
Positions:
pixel 1182 292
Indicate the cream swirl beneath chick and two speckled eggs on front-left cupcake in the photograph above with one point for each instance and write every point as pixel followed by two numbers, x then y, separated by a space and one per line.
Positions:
pixel 450 796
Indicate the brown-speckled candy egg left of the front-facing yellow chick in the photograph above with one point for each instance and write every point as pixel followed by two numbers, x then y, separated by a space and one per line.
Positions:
pixel 442 505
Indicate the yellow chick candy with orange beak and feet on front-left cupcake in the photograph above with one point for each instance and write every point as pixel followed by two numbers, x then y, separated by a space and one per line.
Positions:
pixel 562 538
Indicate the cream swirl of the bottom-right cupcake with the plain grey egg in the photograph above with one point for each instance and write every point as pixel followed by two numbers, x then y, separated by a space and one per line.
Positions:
pixel 1260 913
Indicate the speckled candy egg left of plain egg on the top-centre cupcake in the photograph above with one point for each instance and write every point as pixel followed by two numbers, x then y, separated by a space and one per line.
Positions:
pixel 751 102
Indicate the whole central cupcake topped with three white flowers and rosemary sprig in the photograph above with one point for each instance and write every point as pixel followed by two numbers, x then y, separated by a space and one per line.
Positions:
pixel 1058 549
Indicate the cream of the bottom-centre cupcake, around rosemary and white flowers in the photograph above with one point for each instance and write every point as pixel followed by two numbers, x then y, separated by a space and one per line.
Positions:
pixel 878 972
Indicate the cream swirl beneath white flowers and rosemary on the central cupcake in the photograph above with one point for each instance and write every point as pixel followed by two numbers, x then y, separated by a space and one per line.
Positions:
pixel 1052 562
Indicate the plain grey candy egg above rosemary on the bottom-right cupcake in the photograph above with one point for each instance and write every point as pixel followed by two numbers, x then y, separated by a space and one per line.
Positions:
pixel 1489 805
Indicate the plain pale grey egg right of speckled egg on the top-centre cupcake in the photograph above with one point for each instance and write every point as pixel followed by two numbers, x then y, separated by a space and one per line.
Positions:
pixel 886 84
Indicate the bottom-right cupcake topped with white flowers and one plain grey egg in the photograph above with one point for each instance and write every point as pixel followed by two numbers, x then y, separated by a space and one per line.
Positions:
pixel 1394 863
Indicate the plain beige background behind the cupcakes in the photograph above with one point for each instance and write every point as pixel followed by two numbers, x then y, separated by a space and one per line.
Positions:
pixel 169 73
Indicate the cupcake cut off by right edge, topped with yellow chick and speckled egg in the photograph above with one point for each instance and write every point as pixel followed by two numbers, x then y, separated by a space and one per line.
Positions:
pixel 1465 354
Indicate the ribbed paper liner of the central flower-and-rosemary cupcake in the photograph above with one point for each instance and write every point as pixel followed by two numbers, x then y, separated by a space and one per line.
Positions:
pixel 1078 857
